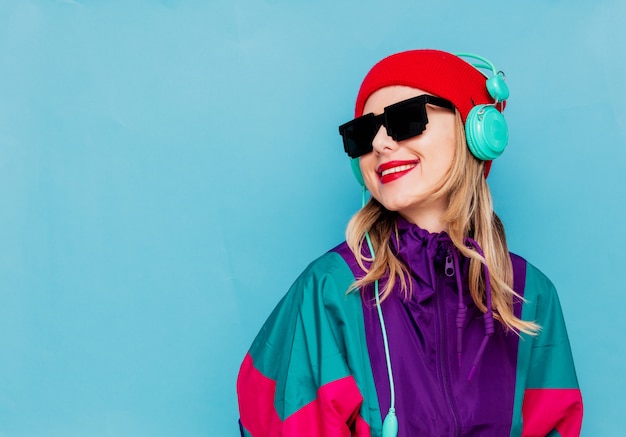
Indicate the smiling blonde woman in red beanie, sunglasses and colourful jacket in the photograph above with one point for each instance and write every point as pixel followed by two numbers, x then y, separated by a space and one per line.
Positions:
pixel 421 323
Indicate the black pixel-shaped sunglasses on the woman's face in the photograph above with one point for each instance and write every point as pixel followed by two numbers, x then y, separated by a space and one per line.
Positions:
pixel 403 120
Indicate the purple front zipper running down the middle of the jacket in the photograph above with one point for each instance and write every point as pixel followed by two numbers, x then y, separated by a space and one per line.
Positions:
pixel 443 355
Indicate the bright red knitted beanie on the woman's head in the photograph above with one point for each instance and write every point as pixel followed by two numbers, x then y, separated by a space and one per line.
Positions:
pixel 436 72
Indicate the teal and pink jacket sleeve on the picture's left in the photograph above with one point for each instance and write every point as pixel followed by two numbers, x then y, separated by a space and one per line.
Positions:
pixel 296 379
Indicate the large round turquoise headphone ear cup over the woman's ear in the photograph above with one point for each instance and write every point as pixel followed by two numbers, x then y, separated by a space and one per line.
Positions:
pixel 486 132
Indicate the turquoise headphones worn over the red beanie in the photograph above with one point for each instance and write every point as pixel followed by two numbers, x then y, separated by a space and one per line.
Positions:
pixel 486 130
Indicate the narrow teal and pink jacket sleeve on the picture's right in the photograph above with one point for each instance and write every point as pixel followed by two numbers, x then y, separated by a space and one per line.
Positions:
pixel 552 404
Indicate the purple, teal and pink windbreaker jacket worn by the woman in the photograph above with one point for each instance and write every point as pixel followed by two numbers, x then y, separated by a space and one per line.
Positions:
pixel 318 368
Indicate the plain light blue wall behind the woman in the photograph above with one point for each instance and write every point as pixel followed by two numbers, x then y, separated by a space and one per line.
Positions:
pixel 167 168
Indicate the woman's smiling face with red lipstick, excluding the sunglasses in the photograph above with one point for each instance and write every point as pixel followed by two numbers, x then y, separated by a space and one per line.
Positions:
pixel 403 175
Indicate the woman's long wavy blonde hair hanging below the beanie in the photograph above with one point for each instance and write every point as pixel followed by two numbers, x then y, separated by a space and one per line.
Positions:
pixel 469 212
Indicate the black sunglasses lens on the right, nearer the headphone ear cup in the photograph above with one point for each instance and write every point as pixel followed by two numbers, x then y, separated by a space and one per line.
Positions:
pixel 406 119
